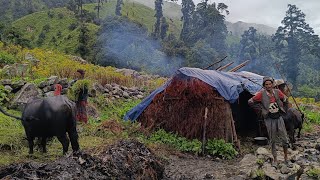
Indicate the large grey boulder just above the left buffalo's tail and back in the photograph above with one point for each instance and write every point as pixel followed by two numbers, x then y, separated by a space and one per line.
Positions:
pixel 27 92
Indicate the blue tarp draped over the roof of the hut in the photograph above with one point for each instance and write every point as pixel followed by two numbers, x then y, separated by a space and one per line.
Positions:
pixel 228 84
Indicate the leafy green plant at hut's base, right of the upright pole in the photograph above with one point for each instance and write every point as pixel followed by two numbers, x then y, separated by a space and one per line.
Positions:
pixel 221 148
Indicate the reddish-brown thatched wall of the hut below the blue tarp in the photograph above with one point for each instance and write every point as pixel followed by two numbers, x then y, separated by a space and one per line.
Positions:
pixel 181 108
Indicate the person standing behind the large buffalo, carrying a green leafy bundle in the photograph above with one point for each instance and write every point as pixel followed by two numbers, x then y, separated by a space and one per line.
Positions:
pixel 82 97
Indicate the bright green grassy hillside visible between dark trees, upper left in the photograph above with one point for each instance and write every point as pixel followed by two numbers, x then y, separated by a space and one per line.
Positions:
pixel 59 27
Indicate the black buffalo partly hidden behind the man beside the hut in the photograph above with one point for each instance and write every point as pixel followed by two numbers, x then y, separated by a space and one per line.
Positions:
pixel 293 119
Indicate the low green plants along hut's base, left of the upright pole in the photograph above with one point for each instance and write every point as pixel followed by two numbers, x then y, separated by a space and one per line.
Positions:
pixel 180 143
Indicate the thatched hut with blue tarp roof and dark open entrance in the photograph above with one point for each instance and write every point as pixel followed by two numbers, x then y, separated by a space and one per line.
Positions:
pixel 198 103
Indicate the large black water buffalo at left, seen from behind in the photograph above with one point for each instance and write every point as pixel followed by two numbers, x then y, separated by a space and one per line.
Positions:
pixel 48 117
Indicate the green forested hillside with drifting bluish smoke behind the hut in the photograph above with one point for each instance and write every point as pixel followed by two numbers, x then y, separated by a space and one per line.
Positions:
pixel 127 34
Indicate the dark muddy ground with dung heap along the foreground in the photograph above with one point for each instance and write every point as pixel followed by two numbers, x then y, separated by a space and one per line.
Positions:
pixel 129 159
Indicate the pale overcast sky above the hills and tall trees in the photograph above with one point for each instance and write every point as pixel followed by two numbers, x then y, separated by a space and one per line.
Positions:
pixel 270 12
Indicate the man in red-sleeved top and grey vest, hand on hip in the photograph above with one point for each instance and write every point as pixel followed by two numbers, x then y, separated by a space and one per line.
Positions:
pixel 272 101
